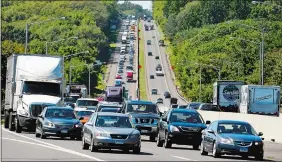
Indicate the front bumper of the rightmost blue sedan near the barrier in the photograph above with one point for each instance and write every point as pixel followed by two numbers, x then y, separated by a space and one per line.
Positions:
pixel 238 150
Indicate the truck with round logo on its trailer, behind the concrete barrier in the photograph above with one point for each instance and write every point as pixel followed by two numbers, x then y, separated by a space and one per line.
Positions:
pixel 226 94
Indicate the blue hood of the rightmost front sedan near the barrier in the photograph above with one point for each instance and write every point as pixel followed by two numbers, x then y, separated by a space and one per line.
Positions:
pixel 240 137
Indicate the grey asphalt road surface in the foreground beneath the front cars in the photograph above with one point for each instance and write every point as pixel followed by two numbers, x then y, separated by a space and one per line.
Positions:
pixel 26 147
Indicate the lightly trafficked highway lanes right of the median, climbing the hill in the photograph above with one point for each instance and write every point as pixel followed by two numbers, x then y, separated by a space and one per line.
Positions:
pixel 162 83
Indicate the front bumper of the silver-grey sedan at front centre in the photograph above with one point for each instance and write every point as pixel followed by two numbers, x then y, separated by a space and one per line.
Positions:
pixel 110 143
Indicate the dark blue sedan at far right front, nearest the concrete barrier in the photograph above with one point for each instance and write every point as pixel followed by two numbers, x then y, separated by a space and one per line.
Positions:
pixel 228 137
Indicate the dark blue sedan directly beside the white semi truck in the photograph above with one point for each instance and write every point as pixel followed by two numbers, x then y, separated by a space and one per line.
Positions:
pixel 58 121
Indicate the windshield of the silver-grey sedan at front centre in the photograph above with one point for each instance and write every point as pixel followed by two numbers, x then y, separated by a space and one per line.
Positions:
pixel 113 121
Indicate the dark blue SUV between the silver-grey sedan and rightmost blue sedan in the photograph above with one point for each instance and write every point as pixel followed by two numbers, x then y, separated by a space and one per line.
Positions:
pixel 182 127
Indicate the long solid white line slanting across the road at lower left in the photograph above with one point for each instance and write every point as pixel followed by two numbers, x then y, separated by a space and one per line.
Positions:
pixel 55 146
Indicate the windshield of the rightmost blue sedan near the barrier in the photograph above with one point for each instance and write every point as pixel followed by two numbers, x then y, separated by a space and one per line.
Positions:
pixel 236 128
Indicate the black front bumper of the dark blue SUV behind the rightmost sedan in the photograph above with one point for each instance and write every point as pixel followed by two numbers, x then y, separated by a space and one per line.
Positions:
pixel 181 138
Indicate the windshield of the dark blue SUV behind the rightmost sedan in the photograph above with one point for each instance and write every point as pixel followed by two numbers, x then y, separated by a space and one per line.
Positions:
pixel 187 117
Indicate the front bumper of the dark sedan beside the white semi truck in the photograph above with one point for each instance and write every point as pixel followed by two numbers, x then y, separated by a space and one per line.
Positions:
pixel 60 132
